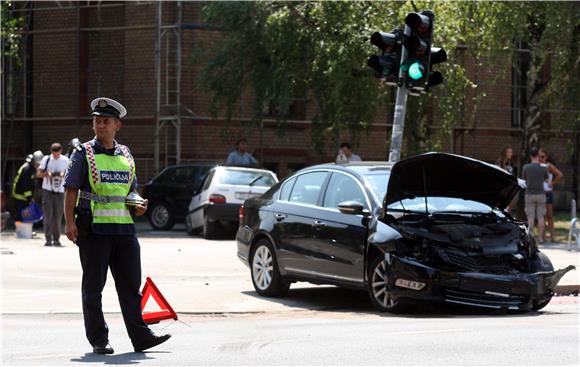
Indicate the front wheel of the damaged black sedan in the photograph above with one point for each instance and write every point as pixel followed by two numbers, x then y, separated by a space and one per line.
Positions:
pixel 378 291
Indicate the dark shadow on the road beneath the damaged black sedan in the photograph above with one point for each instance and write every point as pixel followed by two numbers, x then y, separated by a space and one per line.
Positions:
pixel 335 299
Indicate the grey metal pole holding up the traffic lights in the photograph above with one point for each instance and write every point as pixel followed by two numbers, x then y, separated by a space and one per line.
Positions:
pixel 400 107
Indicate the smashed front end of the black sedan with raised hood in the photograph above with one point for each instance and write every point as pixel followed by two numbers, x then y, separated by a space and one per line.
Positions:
pixel 446 237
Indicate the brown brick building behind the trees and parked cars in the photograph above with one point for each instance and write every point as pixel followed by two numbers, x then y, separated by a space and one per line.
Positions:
pixel 76 51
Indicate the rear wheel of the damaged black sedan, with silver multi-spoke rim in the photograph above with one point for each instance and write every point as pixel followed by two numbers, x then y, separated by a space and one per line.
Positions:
pixel 264 271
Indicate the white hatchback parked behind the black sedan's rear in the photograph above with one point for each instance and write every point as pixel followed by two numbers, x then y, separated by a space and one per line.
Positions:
pixel 222 194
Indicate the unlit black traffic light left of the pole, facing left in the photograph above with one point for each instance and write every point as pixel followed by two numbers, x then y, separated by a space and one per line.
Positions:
pixel 386 66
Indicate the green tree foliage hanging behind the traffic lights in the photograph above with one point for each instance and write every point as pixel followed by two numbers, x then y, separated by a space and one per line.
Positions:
pixel 278 52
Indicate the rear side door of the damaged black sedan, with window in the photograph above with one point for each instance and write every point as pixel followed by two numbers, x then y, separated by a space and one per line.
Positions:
pixel 294 214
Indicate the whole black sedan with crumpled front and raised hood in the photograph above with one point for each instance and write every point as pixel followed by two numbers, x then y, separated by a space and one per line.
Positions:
pixel 441 234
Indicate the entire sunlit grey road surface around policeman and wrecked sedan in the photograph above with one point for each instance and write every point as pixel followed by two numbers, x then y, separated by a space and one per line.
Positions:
pixel 223 322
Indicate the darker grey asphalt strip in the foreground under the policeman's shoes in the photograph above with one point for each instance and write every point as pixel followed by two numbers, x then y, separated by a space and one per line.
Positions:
pixel 310 338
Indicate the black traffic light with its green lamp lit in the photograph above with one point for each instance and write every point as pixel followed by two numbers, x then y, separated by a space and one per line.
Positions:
pixel 421 55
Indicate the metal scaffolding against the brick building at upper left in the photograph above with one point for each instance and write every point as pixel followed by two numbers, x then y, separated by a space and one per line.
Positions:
pixel 169 109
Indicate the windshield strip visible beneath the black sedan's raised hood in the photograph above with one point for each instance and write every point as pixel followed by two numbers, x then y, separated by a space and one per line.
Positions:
pixel 436 204
